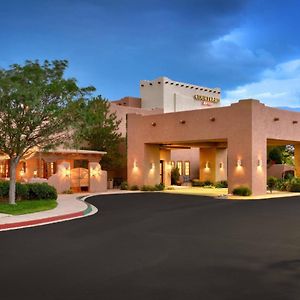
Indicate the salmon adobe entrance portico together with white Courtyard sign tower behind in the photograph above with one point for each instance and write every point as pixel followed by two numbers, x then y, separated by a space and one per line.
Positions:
pixel 231 141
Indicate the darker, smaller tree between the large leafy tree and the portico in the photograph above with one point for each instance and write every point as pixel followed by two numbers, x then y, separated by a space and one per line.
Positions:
pixel 97 128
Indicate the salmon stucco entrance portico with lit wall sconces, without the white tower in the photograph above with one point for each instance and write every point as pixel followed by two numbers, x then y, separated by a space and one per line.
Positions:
pixel 244 129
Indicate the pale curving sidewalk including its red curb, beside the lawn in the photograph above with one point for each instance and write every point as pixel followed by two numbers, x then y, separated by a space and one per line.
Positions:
pixel 68 208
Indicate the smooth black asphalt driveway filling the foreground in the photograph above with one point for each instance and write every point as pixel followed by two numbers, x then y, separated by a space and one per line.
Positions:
pixel 159 246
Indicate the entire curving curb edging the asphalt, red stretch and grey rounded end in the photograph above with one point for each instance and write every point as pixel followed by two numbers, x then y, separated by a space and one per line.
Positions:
pixel 90 210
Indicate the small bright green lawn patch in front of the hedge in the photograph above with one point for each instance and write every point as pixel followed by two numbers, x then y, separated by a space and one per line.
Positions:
pixel 27 207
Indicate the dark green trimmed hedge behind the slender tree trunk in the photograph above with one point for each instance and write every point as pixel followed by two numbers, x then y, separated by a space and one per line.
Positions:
pixel 29 191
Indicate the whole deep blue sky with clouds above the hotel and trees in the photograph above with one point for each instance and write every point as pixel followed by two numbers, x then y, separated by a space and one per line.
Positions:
pixel 248 48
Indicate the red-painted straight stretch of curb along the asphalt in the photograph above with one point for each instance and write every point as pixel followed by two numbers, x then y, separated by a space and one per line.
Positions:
pixel 41 221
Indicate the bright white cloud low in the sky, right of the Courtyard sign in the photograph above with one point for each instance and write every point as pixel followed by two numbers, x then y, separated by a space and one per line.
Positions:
pixel 279 86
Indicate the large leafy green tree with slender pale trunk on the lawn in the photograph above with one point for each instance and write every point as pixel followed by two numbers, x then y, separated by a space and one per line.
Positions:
pixel 34 109
